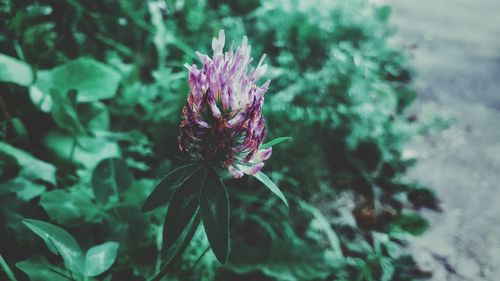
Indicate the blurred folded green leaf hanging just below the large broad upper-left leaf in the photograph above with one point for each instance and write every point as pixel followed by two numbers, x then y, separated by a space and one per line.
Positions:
pixel 64 111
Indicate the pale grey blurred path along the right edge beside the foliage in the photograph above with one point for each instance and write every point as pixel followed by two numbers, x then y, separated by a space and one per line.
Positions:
pixel 457 58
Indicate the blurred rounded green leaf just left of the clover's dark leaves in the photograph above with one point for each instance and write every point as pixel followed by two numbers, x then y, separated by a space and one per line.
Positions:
pixel 110 176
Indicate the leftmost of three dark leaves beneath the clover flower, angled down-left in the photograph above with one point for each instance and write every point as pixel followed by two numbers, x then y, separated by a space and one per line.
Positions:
pixel 163 191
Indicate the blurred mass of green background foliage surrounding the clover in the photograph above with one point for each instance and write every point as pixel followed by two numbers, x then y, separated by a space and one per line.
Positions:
pixel 90 105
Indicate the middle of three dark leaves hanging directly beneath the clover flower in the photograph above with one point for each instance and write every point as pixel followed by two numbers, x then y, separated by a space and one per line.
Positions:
pixel 182 207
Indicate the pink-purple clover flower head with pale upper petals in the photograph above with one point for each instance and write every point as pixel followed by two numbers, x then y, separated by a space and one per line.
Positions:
pixel 222 120
